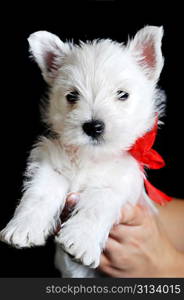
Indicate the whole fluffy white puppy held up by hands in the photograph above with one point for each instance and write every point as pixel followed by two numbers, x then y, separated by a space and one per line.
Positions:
pixel 102 98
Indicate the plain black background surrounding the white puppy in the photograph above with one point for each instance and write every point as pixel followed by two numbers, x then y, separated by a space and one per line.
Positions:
pixel 22 87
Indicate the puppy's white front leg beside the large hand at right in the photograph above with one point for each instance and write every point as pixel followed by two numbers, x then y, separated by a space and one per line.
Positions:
pixel 85 233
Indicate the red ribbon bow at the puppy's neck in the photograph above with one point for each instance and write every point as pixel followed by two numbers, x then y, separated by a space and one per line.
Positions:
pixel 147 157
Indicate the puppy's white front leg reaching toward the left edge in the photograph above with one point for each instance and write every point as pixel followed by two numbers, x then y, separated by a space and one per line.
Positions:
pixel 38 212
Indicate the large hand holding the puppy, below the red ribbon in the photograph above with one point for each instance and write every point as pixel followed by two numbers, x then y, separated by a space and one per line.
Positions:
pixel 138 247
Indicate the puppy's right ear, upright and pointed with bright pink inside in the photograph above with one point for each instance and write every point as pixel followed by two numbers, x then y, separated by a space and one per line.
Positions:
pixel 146 47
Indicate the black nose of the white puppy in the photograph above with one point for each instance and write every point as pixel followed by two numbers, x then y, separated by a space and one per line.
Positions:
pixel 93 128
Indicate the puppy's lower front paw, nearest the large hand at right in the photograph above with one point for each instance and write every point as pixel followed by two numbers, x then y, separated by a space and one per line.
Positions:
pixel 80 244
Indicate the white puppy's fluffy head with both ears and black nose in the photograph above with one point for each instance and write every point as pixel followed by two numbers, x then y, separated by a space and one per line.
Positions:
pixel 103 94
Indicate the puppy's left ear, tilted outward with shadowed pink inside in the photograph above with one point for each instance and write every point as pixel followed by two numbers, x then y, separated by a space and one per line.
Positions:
pixel 48 51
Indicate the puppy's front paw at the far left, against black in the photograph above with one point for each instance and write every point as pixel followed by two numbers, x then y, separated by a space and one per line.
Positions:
pixel 22 234
